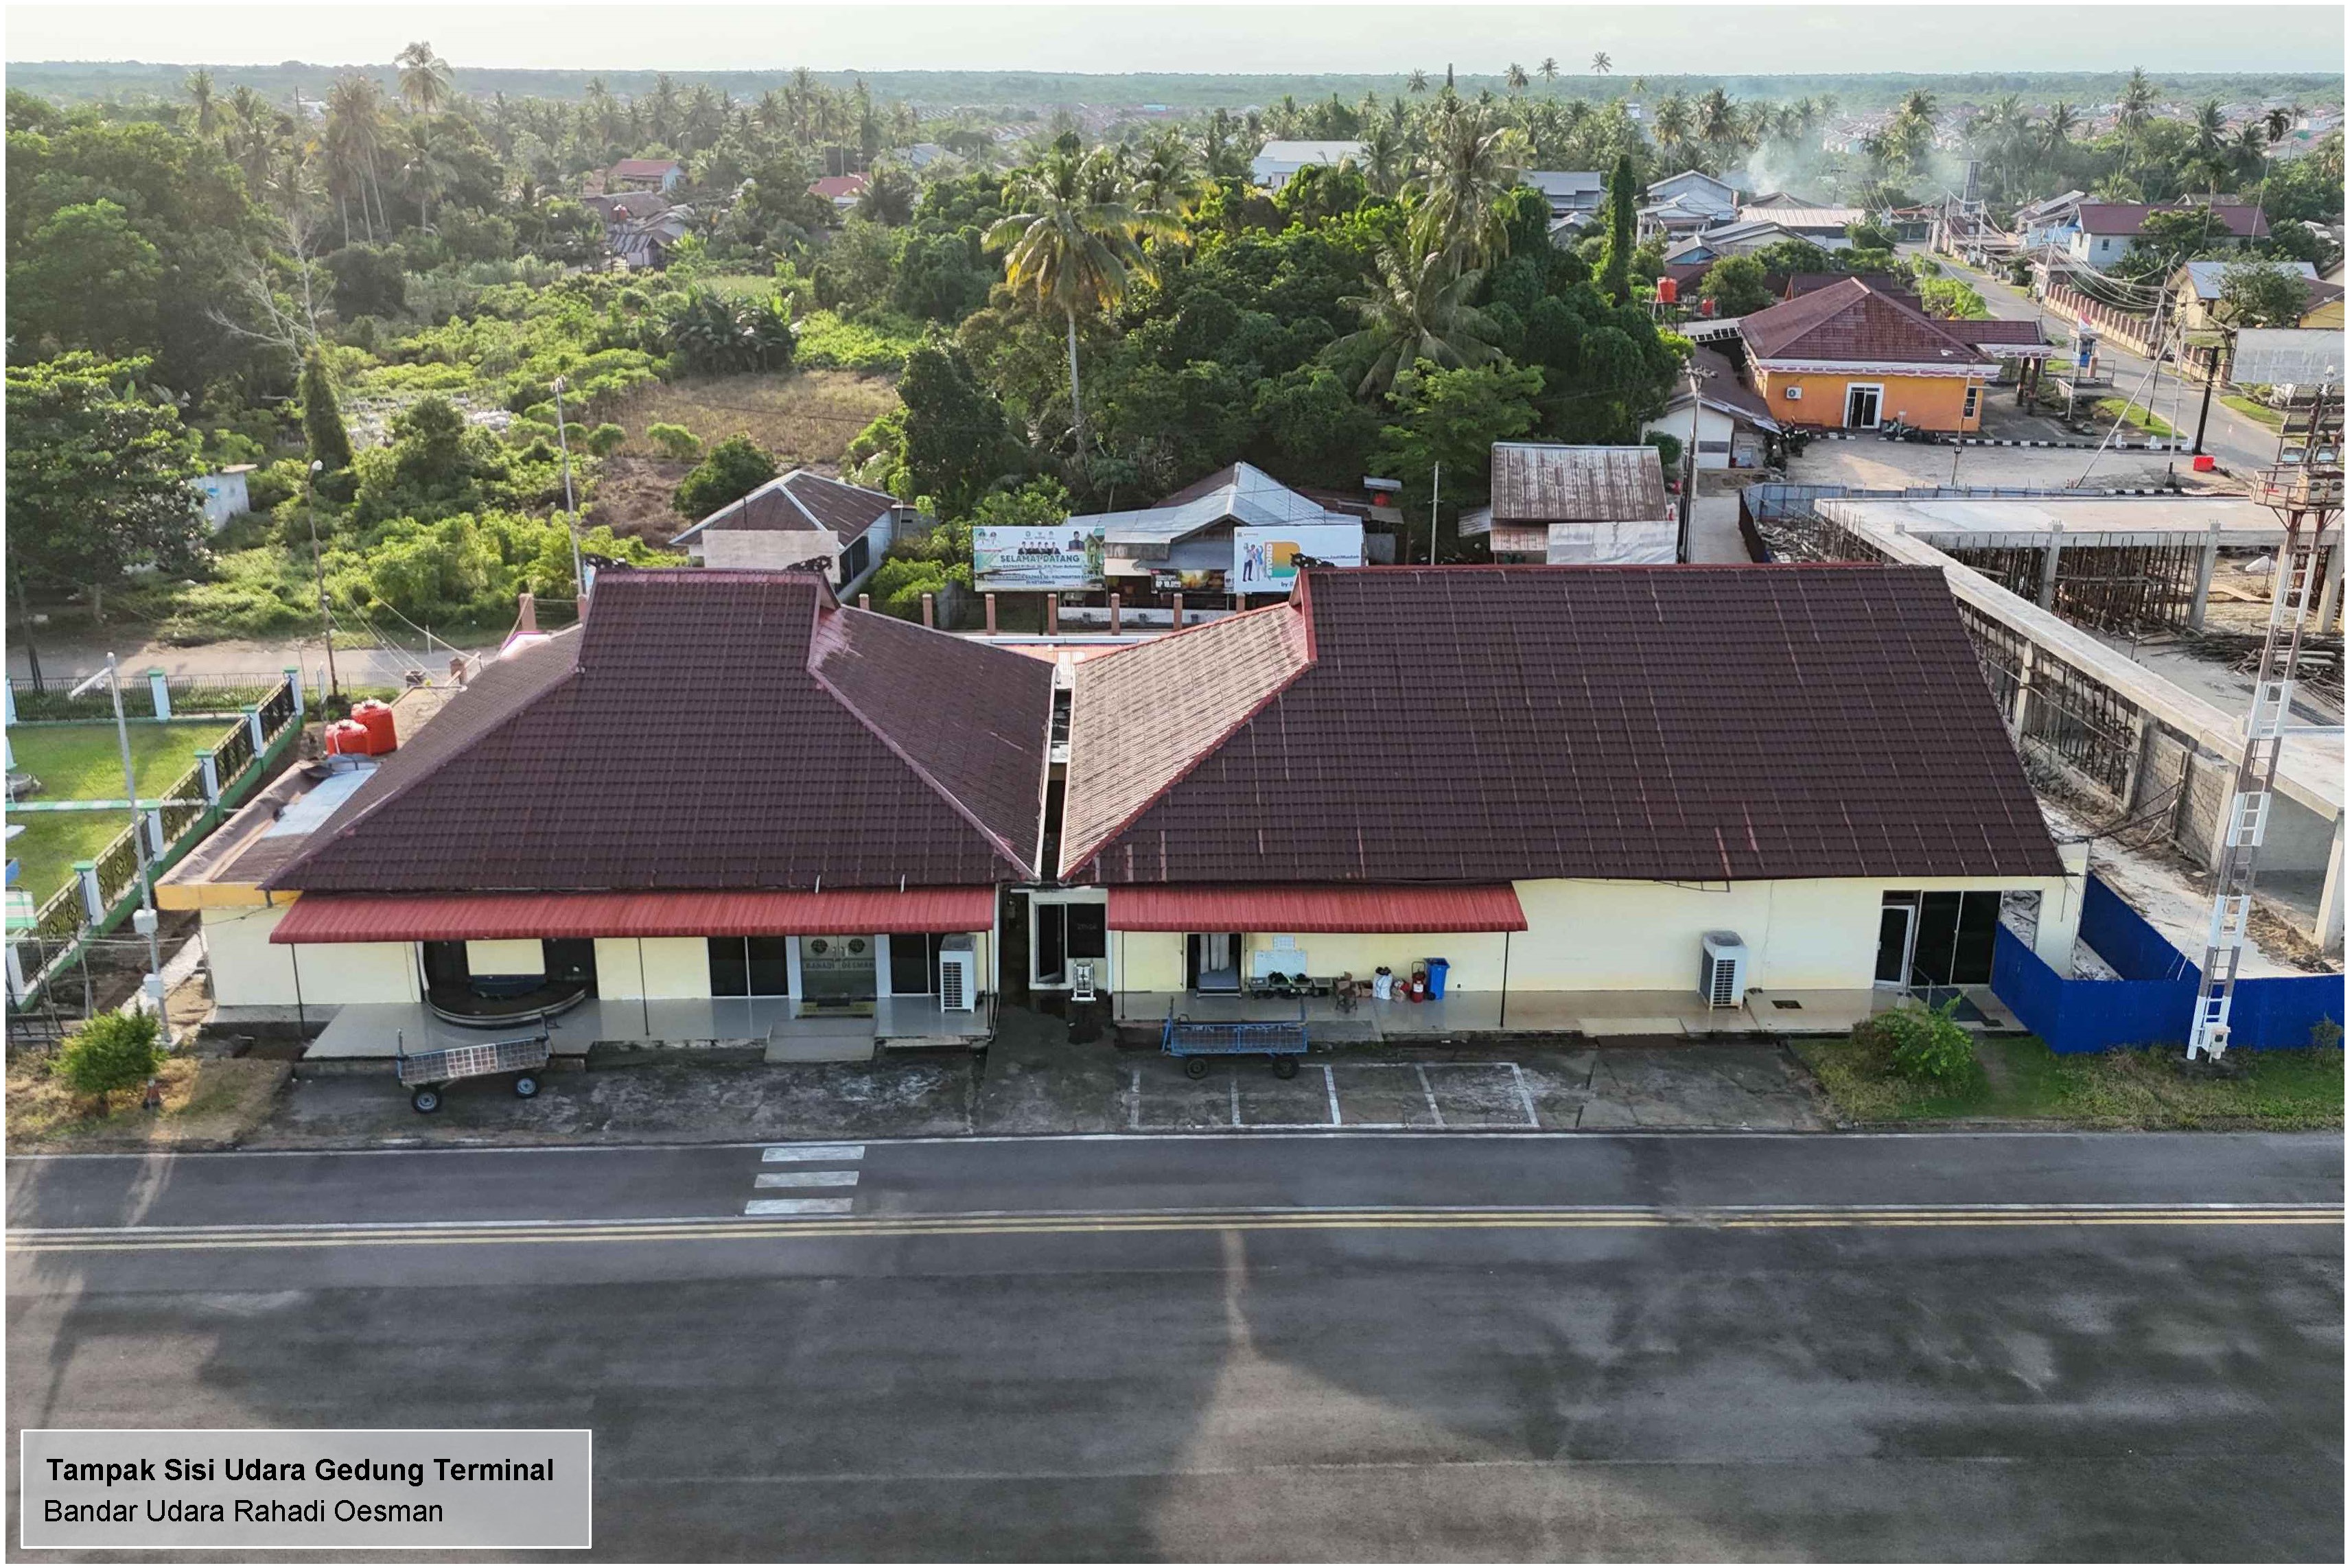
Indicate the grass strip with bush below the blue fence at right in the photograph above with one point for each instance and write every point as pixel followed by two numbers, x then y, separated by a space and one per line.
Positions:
pixel 2022 1080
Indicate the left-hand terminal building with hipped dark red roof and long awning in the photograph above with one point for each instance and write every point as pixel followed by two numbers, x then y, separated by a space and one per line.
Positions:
pixel 726 808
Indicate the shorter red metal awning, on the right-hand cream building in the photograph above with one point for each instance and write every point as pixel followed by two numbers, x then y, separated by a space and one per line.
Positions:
pixel 1316 909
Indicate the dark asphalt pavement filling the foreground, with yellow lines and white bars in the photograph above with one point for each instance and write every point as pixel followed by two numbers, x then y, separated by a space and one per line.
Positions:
pixel 1264 1346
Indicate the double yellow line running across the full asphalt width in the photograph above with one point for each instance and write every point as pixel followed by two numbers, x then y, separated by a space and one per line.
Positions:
pixel 1165 1221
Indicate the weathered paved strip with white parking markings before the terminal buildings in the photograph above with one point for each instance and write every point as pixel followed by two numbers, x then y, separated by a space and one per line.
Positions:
pixel 1036 1080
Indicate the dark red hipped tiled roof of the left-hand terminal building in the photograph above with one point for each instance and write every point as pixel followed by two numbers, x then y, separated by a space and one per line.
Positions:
pixel 711 730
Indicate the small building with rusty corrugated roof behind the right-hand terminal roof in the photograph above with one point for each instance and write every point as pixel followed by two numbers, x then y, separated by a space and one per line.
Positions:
pixel 1589 507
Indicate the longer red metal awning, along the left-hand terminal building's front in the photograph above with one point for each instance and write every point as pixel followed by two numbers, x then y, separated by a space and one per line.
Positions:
pixel 481 918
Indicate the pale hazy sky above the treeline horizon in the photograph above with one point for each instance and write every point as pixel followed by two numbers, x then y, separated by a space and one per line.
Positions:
pixel 1114 36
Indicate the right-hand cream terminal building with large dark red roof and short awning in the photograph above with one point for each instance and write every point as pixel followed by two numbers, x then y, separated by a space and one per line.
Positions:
pixel 1558 782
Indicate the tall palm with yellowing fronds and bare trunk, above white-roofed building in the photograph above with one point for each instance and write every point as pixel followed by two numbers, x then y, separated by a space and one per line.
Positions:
pixel 1069 248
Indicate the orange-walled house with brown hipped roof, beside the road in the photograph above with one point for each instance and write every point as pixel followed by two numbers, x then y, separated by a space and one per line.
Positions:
pixel 1852 359
